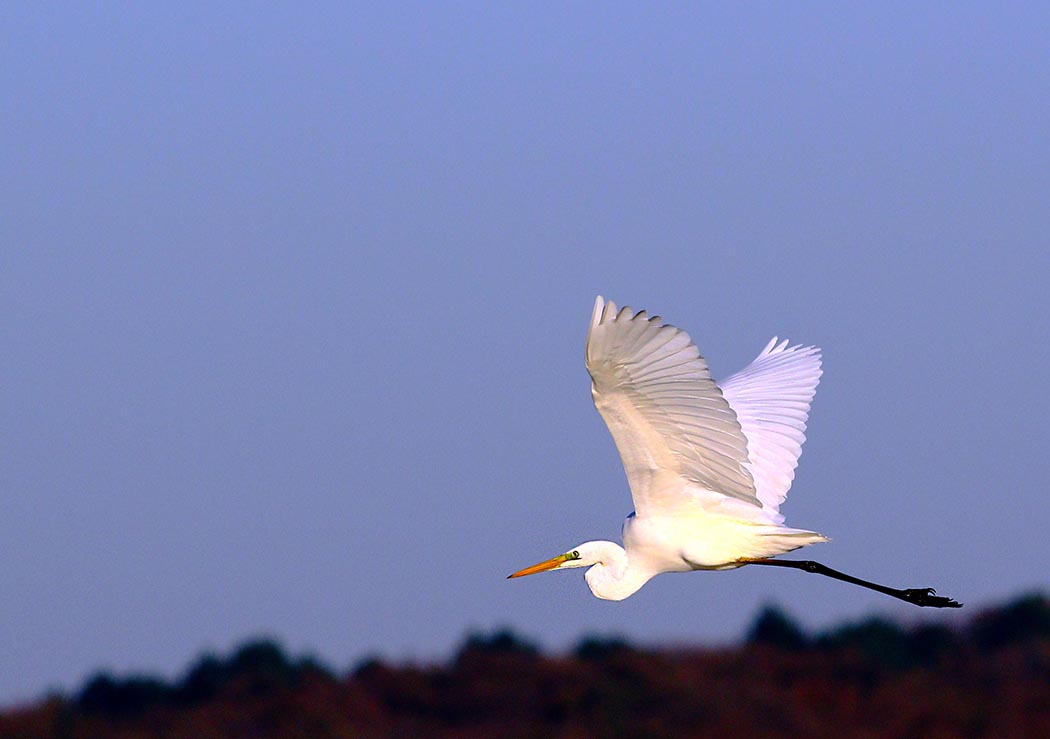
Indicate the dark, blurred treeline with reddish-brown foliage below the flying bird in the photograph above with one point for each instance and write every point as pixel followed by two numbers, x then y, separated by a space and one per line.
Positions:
pixel 989 678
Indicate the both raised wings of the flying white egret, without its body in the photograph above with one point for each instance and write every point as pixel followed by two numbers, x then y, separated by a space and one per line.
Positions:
pixel 670 420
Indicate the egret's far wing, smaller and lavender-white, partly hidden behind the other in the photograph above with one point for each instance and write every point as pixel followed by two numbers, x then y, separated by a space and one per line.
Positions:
pixel 771 398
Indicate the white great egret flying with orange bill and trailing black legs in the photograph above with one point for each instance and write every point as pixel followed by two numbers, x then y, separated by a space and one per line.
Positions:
pixel 708 466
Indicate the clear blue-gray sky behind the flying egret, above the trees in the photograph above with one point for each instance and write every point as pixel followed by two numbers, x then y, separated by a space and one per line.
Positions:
pixel 293 304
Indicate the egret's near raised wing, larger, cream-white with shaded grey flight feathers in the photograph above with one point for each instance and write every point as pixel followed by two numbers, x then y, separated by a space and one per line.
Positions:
pixel 671 425
